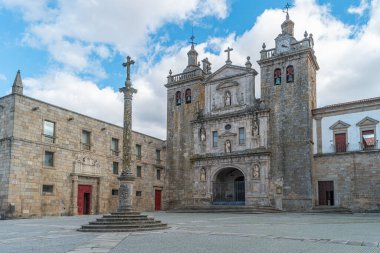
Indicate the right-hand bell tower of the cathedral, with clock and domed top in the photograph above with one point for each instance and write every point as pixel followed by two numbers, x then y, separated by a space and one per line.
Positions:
pixel 288 89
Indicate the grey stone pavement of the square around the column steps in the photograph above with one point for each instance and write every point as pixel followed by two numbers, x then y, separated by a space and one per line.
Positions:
pixel 287 232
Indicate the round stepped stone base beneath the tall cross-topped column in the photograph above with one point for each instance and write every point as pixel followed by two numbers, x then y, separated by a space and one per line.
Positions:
pixel 123 222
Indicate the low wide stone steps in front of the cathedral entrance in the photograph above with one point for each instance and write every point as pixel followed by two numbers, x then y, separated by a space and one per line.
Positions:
pixel 226 209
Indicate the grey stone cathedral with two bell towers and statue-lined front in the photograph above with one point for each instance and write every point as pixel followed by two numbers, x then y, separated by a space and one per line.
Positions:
pixel 225 146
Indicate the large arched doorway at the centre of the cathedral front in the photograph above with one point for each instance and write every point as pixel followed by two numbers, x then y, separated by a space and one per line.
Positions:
pixel 229 187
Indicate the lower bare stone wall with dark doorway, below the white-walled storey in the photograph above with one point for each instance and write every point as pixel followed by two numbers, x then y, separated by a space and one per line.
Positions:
pixel 356 178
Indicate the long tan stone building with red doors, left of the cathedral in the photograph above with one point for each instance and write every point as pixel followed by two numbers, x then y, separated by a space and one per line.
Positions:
pixel 58 162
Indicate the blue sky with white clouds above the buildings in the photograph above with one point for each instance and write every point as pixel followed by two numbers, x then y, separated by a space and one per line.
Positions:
pixel 70 52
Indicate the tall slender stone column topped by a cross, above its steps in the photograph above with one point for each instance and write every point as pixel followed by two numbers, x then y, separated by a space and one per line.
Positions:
pixel 126 178
